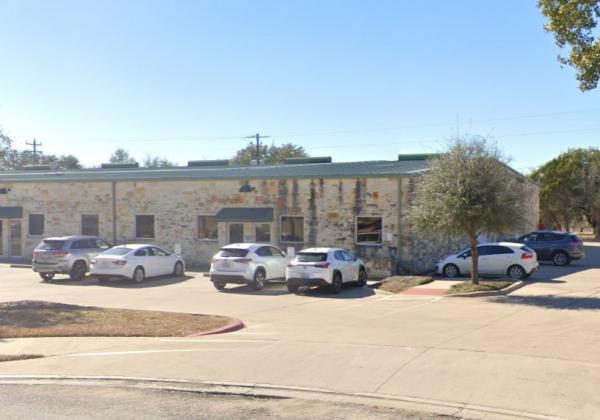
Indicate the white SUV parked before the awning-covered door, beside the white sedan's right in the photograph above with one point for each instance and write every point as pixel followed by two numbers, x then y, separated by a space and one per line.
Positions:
pixel 247 263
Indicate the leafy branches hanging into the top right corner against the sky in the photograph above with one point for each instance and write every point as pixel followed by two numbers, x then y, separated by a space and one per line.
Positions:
pixel 573 23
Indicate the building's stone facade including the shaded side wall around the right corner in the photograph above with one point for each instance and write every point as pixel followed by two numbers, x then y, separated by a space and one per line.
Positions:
pixel 329 208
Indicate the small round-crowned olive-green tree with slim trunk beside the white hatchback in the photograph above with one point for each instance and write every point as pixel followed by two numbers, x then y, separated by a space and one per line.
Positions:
pixel 469 190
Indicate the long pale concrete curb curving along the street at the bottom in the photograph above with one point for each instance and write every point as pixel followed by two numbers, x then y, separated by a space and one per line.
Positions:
pixel 420 405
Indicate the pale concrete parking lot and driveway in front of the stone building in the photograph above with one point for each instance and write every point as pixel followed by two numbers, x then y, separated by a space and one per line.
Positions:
pixel 534 351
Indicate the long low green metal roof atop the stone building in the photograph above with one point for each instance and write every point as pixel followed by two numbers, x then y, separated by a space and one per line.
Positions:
pixel 307 170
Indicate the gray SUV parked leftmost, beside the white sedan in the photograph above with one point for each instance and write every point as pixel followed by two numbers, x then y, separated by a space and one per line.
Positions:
pixel 66 255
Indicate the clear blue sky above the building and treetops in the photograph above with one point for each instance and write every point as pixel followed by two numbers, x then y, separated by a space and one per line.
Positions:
pixel 354 80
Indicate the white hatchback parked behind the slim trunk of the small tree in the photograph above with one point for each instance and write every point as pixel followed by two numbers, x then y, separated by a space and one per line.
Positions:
pixel 517 261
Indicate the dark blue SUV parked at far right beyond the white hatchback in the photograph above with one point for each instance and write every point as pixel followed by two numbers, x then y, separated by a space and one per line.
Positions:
pixel 559 247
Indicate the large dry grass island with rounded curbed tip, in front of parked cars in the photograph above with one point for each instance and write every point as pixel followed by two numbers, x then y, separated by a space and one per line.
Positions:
pixel 48 319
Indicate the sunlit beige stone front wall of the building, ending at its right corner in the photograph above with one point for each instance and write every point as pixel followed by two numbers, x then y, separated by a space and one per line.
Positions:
pixel 329 207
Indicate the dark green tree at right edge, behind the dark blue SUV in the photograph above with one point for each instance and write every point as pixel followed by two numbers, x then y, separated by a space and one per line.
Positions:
pixel 570 187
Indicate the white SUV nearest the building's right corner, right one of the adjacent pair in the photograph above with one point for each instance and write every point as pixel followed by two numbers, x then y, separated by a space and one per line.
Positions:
pixel 329 267
